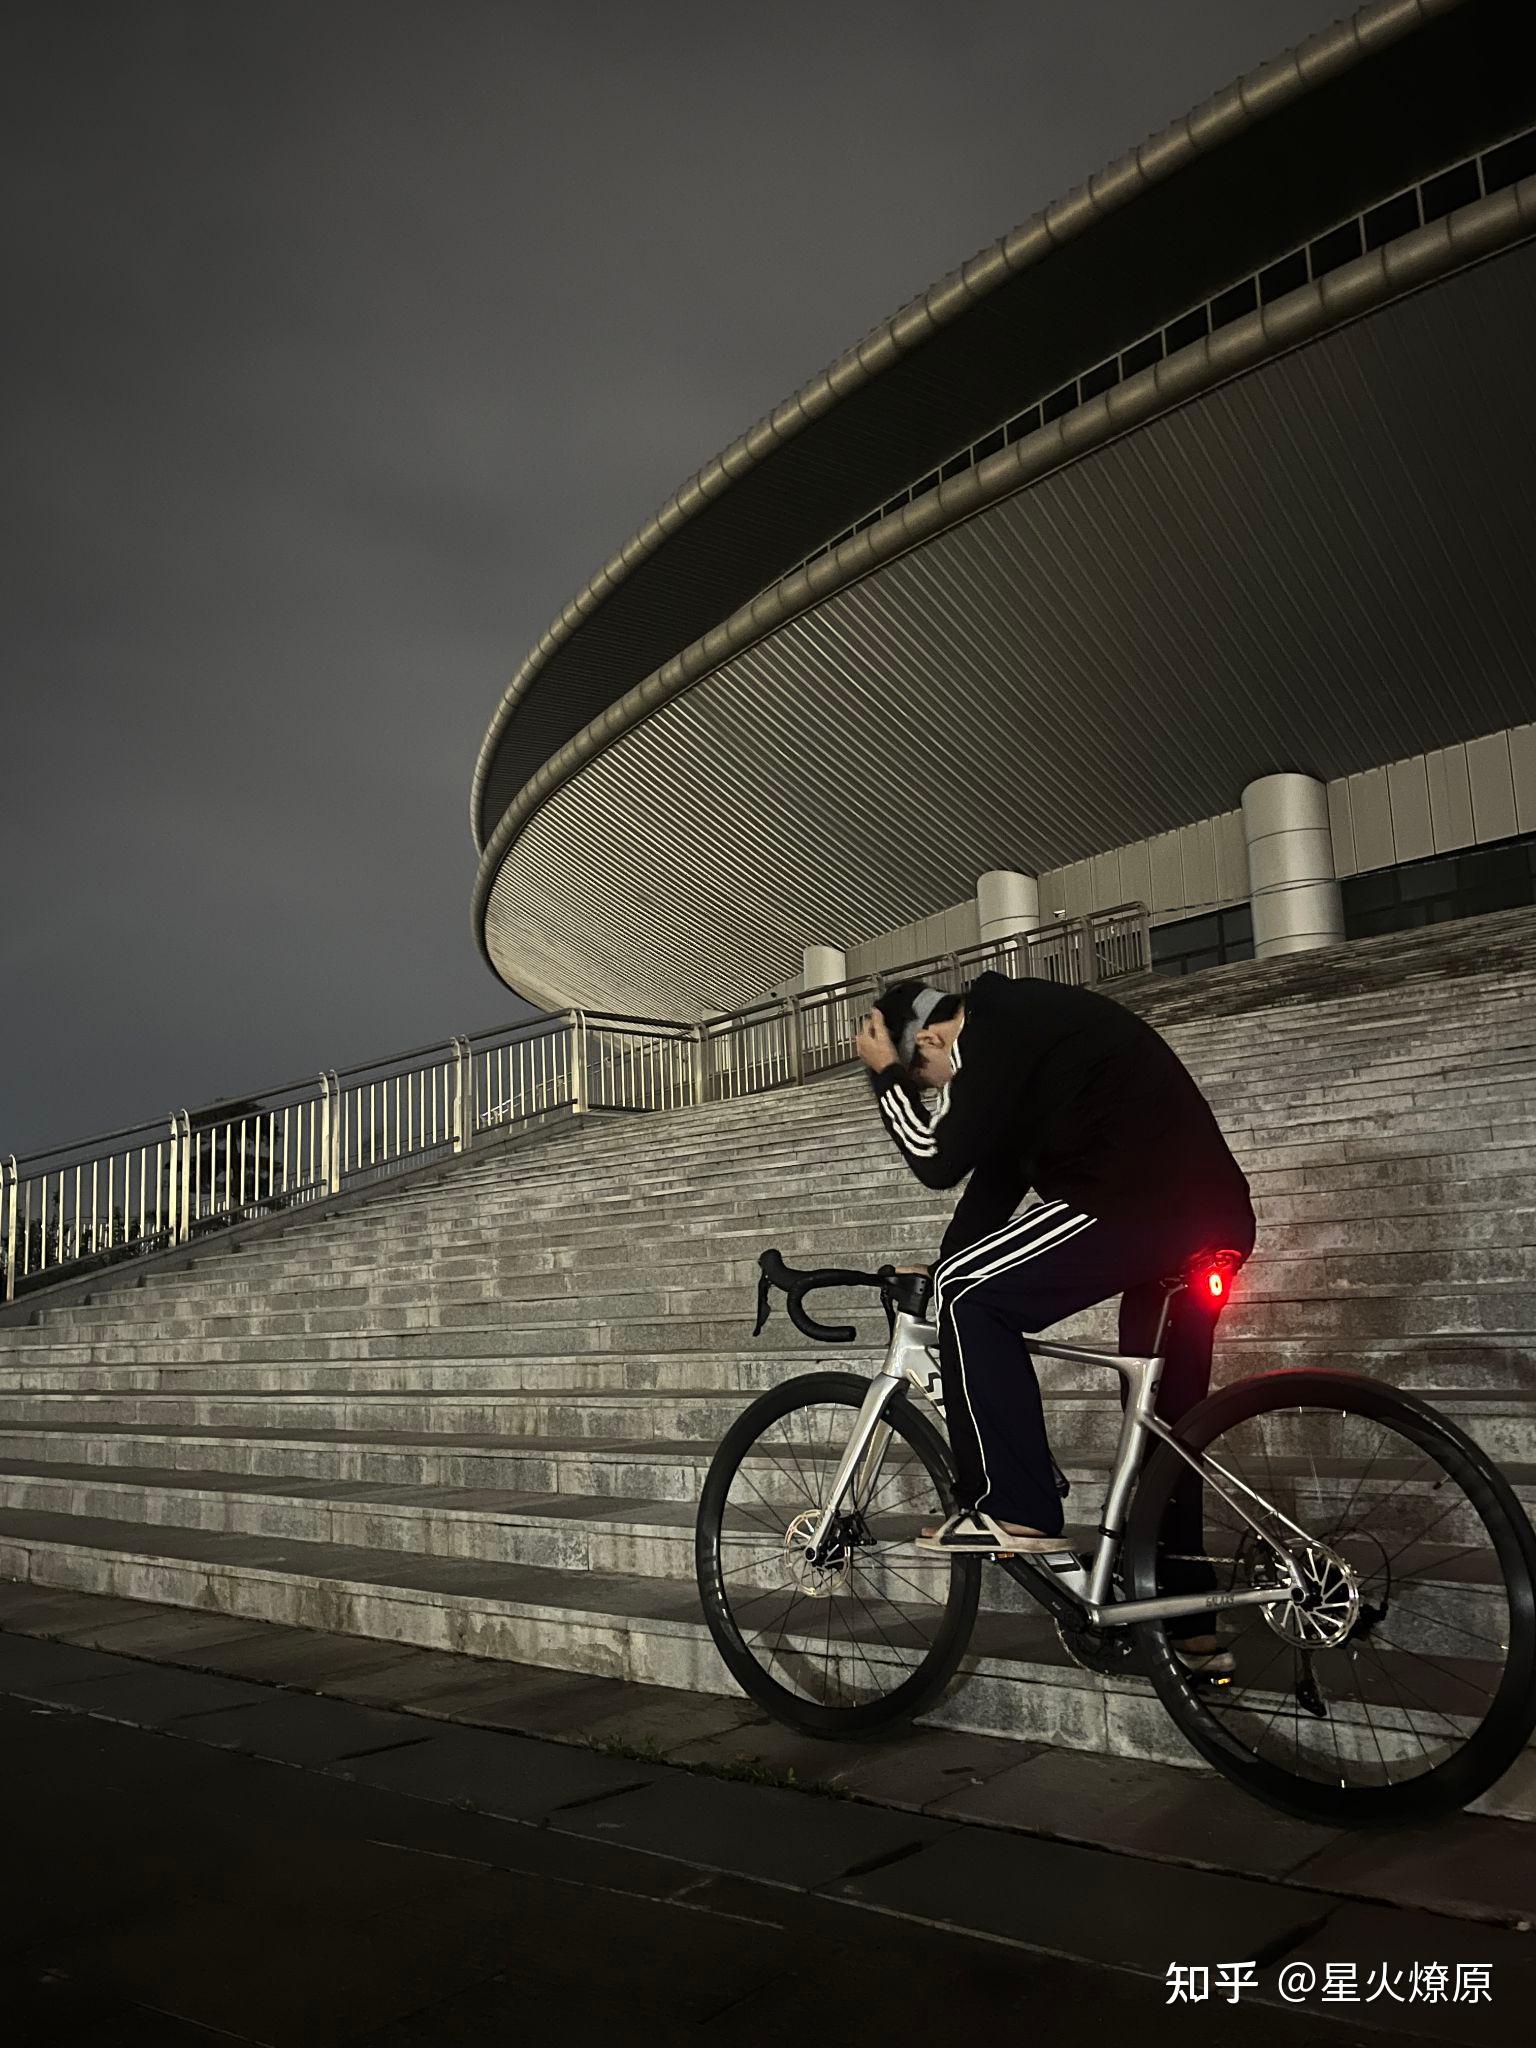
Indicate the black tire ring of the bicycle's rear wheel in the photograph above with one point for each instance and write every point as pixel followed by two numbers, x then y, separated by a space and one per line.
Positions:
pixel 1504 1732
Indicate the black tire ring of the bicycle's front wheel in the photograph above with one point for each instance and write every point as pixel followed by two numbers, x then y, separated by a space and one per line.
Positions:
pixel 933 1674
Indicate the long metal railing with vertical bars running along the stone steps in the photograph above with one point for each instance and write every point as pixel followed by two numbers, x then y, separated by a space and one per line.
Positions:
pixel 157 1187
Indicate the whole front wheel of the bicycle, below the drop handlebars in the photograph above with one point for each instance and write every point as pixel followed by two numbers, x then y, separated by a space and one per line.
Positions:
pixel 871 1637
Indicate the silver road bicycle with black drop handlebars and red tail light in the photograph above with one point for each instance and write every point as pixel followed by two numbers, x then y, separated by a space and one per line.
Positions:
pixel 1373 1570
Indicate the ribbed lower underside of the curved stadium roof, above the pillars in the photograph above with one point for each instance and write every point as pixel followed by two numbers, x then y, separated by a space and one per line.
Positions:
pixel 1320 566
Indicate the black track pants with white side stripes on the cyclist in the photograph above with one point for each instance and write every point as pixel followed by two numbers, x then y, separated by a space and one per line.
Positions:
pixel 1043 1267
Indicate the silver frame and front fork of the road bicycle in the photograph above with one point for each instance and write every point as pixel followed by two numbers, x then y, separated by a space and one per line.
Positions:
pixel 912 1359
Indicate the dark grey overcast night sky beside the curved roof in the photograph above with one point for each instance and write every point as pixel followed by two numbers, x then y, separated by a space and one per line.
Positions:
pixel 345 343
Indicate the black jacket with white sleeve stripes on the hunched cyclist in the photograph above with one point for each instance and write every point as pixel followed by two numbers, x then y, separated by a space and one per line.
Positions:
pixel 1066 1093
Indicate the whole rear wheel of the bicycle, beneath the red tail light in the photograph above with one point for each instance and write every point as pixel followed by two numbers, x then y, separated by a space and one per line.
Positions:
pixel 1410 1687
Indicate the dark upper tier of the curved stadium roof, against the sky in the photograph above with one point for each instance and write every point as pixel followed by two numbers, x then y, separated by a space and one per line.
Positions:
pixel 1359 114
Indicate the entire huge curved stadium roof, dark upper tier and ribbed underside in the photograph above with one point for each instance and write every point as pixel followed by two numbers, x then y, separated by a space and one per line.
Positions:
pixel 1189 478
